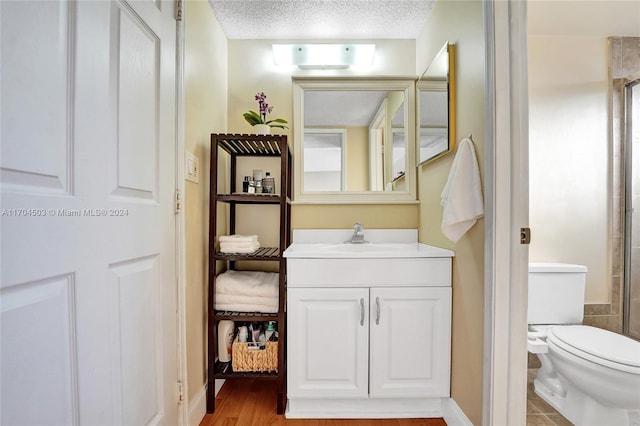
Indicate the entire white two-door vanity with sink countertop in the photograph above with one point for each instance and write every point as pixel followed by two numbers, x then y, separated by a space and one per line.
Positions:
pixel 368 329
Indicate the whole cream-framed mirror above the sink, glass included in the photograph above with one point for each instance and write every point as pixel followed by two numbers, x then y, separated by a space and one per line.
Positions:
pixel 351 143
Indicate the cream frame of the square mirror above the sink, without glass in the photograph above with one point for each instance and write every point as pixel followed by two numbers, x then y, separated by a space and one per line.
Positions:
pixel 407 86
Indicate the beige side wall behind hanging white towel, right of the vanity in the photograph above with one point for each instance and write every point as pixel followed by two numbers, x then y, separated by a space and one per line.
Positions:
pixel 459 22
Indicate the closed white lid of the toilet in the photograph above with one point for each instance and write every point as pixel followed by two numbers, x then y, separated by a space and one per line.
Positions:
pixel 598 343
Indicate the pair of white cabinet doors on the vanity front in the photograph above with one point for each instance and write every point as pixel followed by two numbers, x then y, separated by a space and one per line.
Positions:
pixel 369 342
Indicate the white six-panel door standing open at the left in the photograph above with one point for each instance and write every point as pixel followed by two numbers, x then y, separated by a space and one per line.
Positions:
pixel 88 250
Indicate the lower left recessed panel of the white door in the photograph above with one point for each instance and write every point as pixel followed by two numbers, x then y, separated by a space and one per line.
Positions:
pixel 39 315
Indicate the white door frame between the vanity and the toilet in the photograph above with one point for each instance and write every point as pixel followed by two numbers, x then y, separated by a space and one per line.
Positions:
pixel 506 177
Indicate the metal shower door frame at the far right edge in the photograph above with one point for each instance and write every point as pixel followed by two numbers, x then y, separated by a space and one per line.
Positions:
pixel 633 80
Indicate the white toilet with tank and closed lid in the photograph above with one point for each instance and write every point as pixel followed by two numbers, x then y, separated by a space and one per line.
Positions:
pixel 590 375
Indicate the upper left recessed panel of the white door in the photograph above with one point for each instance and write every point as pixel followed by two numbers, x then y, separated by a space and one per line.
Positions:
pixel 37 82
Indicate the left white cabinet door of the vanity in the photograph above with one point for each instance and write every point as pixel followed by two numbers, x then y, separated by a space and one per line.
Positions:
pixel 327 346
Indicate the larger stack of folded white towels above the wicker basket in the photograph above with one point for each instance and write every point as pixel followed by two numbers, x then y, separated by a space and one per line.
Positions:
pixel 247 291
